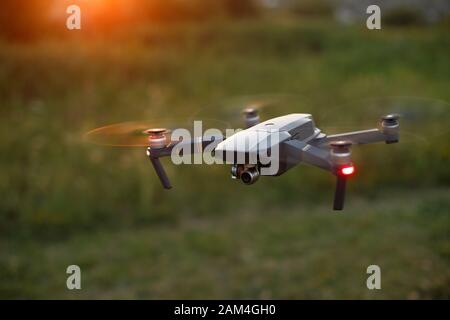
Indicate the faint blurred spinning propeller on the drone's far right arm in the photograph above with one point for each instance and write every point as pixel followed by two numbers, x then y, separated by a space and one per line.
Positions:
pixel 422 120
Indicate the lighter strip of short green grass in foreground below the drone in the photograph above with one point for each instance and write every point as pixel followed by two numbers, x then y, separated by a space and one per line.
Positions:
pixel 295 253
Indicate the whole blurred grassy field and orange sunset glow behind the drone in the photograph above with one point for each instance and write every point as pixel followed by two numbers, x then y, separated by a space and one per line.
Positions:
pixel 65 201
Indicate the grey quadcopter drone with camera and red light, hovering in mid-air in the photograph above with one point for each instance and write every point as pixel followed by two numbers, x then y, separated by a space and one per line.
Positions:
pixel 298 141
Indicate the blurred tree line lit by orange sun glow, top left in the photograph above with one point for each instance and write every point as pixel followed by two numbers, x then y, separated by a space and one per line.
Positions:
pixel 32 19
